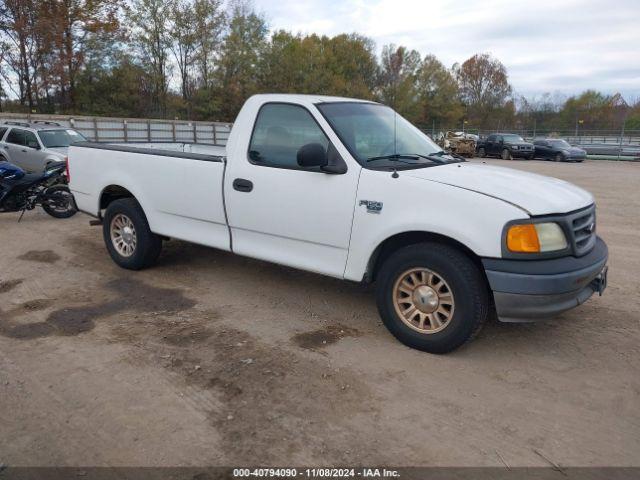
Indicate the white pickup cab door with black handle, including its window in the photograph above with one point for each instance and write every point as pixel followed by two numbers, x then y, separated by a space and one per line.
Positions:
pixel 280 211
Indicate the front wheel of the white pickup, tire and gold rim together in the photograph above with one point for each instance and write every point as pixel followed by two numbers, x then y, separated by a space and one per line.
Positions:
pixel 432 297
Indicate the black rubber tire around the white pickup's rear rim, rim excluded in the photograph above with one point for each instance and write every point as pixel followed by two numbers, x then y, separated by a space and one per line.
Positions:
pixel 147 246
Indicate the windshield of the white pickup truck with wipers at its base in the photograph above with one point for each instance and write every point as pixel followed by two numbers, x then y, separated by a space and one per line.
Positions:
pixel 378 137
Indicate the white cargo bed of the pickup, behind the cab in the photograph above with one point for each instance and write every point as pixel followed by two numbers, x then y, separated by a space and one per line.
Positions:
pixel 179 202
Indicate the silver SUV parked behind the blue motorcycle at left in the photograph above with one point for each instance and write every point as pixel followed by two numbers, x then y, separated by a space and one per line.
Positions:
pixel 33 146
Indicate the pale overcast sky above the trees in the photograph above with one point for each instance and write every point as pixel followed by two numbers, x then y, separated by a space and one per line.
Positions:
pixel 557 46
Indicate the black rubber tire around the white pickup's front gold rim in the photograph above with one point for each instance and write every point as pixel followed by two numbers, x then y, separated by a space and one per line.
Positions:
pixel 468 288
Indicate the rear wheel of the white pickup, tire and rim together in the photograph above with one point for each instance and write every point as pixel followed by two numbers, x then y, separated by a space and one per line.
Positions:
pixel 130 242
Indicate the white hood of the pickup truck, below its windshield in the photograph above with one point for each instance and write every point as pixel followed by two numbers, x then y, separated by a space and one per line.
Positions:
pixel 536 194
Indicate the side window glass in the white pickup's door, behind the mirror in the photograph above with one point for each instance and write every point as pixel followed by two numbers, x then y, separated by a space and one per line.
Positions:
pixel 279 132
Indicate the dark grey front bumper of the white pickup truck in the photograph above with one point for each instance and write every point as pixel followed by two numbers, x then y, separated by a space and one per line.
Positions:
pixel 526 290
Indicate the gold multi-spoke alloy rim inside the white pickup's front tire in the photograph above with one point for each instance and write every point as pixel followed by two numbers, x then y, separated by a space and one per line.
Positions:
pixel 423 300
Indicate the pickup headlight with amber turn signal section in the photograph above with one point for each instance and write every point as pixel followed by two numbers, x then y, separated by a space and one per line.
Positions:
pixel 536 238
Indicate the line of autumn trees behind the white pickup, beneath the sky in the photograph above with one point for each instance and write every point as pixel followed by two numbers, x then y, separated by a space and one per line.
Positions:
pixel 200 60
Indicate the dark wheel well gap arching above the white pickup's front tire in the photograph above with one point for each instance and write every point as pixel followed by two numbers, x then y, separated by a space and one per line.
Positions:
pixel 400 240
